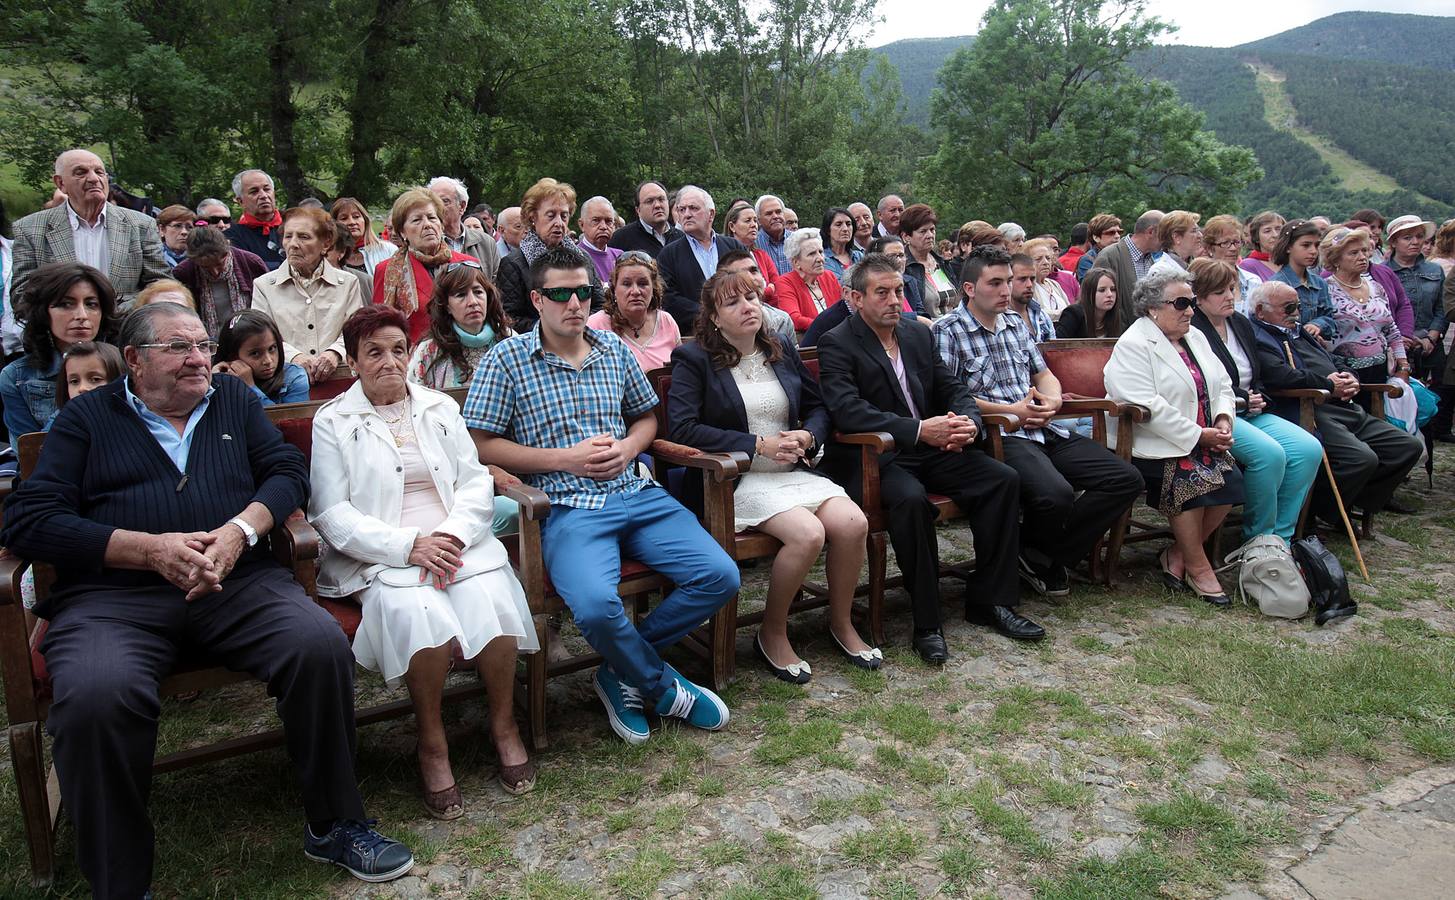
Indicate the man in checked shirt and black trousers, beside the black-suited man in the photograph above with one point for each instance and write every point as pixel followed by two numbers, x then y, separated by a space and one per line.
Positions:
pixel 990 348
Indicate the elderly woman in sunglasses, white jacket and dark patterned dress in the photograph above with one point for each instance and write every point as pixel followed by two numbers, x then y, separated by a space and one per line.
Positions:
pixel 1182 450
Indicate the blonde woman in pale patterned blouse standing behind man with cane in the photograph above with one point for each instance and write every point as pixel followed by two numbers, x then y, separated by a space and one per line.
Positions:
pixel 1368 344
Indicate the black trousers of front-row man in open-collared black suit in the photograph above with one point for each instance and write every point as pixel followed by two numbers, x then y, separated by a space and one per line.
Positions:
pixel 986 489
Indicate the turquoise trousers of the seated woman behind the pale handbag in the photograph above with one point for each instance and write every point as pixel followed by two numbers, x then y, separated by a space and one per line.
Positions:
pixel 1280 463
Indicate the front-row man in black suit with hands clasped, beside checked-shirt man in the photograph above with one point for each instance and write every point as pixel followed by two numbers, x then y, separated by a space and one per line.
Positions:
pixel 881 374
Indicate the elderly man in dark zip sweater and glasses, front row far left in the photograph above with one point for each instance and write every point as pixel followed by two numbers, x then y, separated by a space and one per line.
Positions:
pixel 151 498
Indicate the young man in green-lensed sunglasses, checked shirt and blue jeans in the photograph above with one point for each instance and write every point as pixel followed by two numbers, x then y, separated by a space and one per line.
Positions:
pixel 570 411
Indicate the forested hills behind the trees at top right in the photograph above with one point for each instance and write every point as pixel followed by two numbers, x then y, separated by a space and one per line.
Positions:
pixel 1357 107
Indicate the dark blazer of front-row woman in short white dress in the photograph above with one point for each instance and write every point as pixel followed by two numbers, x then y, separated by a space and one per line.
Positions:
pixel 705 408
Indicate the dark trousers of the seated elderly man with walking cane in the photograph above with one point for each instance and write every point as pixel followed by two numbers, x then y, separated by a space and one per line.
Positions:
pixel 1370 459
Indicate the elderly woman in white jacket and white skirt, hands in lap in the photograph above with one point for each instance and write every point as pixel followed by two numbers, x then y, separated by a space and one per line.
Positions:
pixel 405 508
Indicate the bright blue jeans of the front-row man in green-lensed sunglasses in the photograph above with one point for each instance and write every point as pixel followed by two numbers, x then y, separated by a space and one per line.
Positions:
pixel 583 550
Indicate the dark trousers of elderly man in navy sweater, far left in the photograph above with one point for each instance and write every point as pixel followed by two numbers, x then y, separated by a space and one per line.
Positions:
pixel 108 652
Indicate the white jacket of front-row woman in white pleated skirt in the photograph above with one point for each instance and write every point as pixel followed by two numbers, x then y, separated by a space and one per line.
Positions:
pixel 359 489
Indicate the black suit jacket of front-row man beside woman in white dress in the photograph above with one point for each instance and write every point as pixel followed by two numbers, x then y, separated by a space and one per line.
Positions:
pixel 864 395
